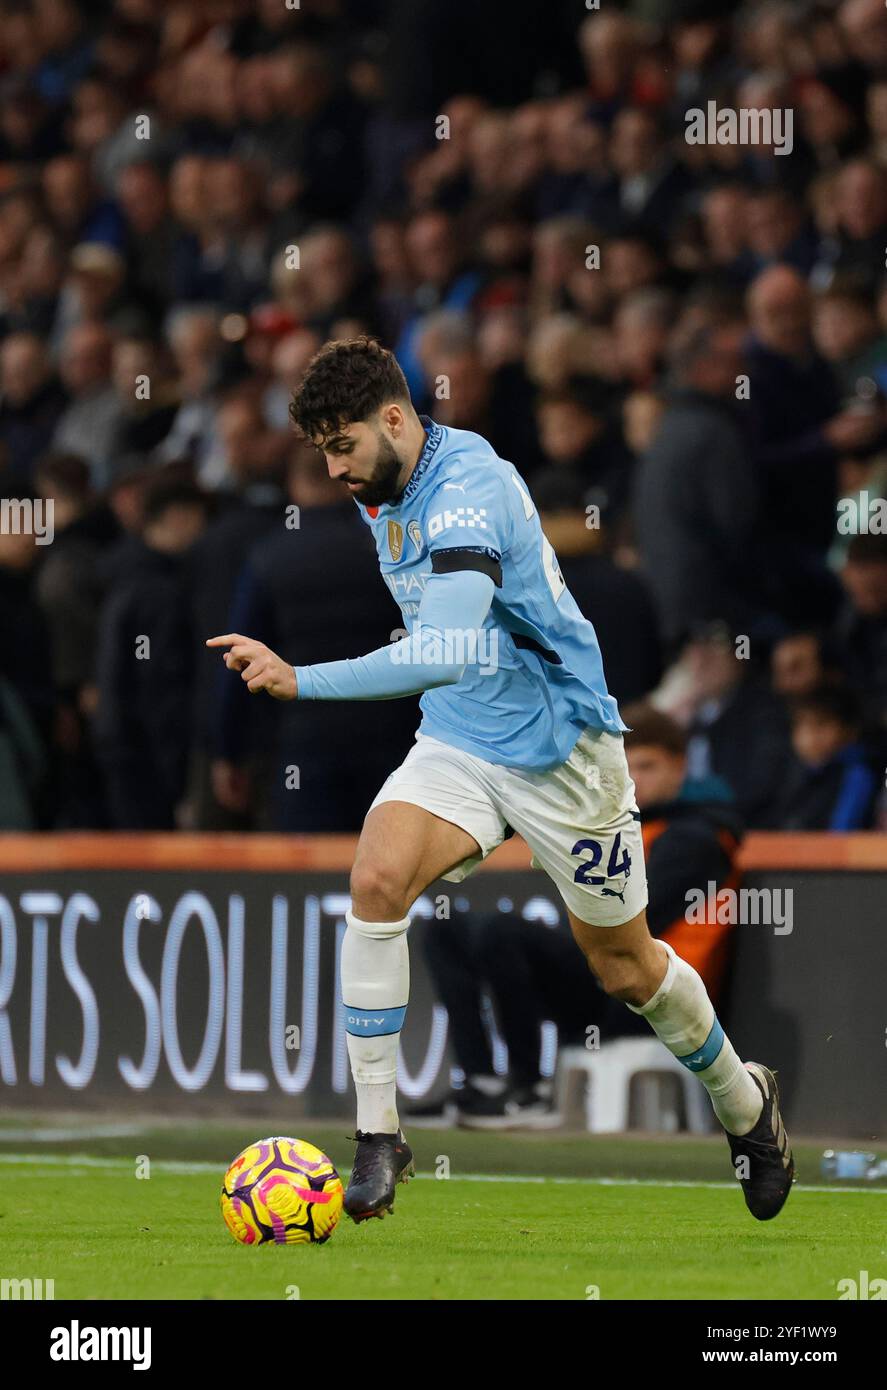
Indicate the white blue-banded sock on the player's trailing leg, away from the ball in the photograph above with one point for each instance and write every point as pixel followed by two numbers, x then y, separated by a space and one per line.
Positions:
pixel 683 1017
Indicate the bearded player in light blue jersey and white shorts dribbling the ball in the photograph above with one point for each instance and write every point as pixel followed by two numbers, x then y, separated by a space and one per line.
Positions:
pixel 518 735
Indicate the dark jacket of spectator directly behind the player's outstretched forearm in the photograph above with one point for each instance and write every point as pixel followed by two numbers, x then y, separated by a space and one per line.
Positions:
pixel 311 608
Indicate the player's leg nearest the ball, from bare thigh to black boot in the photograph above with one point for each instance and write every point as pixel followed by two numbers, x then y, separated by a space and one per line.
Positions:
pixel 402 850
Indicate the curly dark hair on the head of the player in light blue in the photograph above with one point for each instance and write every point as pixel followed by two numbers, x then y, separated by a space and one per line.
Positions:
pixel 344 383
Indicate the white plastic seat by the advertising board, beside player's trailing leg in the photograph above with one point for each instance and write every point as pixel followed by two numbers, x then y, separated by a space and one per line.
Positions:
pixel 608 1074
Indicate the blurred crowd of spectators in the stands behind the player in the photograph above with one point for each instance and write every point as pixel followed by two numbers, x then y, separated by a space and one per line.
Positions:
pixel 682 347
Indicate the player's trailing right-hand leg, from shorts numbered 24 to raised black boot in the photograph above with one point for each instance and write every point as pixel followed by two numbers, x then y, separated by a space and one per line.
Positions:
pixel 583 826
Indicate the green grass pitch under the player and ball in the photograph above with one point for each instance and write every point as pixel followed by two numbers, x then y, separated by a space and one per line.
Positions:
pixel 612 1218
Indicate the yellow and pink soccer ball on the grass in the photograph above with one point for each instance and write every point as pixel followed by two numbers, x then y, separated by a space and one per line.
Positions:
pixel 282 1191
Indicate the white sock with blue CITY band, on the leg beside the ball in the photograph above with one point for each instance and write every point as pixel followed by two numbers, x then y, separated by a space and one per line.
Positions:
pixel 376 989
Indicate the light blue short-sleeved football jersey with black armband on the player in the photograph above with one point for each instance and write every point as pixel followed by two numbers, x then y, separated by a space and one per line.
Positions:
pixel 536 682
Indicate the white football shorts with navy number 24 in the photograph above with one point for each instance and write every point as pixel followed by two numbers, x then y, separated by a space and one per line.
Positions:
pixel 580 821
